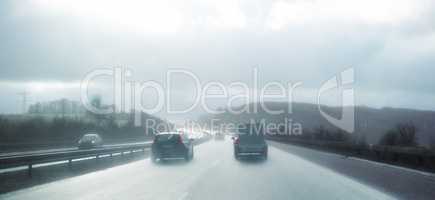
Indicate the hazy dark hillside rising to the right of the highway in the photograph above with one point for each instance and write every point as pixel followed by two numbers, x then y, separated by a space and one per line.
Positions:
pixel 370 123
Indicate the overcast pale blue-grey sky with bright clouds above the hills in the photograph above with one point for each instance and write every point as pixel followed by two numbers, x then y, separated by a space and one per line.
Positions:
pixel 47 47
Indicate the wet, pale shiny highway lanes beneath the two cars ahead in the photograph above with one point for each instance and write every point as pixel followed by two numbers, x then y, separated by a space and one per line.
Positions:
pixel 213 174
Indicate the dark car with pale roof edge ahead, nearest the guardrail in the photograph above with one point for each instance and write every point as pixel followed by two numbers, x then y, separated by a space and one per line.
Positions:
pixel 169 145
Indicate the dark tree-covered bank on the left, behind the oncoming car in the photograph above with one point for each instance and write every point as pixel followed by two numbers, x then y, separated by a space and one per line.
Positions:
pixel 38 129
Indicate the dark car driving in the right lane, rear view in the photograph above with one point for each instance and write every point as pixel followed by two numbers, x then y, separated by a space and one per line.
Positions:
pixel 250 144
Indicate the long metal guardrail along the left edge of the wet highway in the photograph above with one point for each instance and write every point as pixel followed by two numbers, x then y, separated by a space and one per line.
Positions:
pixel 38 158
